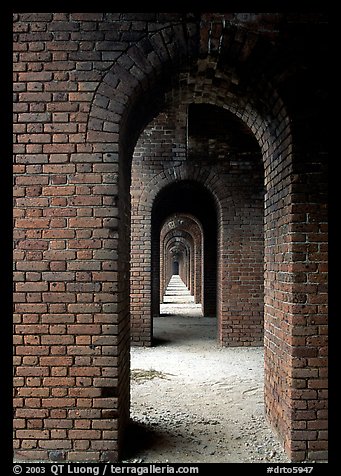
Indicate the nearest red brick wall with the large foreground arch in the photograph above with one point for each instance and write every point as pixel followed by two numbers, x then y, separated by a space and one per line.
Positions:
pixel 83 125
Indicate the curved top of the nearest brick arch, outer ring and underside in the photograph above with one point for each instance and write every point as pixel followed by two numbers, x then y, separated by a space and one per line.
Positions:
pixel 160 57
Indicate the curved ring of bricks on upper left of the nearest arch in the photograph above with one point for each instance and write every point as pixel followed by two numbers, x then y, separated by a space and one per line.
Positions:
pixel 135 73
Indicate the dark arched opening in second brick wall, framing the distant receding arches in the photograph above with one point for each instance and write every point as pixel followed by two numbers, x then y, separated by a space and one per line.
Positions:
pixel 174 208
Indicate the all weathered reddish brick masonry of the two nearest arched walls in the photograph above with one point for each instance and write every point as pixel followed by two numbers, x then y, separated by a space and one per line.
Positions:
pixel 88 88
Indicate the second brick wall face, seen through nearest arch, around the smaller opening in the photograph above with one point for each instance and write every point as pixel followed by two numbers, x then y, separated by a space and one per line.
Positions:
pixel 144 190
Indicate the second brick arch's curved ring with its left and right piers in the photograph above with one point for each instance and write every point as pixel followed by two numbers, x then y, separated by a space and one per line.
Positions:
pixel 227 280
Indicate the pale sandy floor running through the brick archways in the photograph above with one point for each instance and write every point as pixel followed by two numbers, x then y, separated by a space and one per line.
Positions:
pixel 195 402
